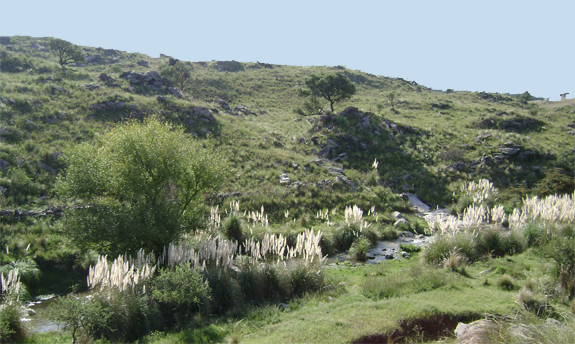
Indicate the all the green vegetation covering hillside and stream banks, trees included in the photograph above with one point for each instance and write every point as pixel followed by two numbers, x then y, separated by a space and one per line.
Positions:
pixel 97 161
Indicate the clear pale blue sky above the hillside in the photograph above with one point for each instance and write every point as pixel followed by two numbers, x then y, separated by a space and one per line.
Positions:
pixel 495 46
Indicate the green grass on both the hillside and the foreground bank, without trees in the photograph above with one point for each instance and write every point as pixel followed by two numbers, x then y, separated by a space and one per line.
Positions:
pixel 422 157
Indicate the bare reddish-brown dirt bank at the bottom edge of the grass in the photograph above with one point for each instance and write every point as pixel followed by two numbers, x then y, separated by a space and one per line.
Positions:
pixel 432 327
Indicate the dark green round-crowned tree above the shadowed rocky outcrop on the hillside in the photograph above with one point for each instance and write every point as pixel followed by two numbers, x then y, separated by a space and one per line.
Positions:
pixel 332 87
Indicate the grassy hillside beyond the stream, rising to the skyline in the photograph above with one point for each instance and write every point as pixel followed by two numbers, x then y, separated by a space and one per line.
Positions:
pixel 256 144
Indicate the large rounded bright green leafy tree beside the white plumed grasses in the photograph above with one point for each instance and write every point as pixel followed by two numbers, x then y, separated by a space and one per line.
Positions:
pixel 141 186
